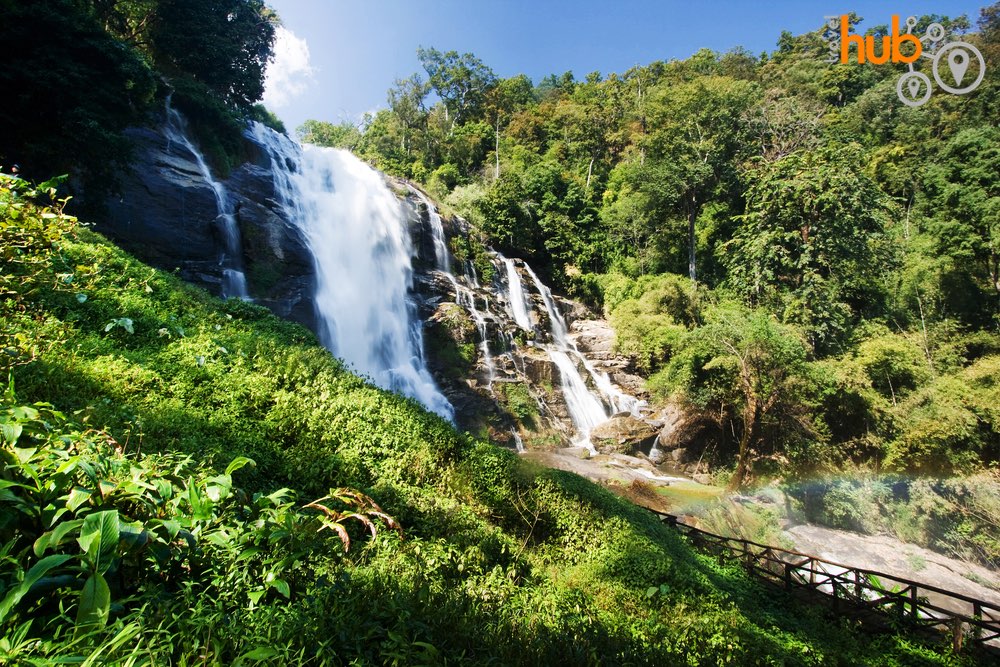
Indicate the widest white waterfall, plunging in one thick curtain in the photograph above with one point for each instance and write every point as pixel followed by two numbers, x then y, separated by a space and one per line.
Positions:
pixel 356 230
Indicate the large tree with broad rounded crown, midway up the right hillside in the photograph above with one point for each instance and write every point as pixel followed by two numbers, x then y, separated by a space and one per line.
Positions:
pixel 813 240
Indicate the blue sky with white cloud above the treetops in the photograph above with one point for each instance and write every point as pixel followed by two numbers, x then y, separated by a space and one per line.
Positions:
pixel 339 57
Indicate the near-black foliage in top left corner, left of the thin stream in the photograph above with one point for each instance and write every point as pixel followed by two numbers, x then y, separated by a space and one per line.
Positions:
pixel 58 48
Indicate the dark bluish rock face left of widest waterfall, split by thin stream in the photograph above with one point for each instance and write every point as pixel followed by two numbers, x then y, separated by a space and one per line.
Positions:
pixel 167 215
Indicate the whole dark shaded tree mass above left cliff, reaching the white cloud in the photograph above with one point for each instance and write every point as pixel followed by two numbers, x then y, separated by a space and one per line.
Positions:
pixel 104 58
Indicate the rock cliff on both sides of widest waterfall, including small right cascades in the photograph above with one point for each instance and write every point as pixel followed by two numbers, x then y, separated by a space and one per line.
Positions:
pixel 520 366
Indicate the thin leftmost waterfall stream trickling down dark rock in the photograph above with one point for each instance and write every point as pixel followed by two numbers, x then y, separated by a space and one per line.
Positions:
pixel 234 283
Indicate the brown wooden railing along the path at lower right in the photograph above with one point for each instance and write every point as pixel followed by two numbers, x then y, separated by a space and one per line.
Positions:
pixel 966 619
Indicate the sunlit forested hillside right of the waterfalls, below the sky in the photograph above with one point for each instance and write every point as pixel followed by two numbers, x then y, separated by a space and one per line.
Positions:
pixel 782 245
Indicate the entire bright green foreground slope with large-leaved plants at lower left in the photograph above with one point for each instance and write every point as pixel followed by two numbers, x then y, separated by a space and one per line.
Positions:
pixel 180 477
